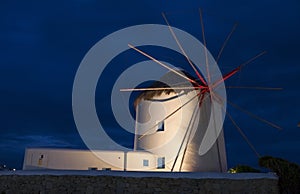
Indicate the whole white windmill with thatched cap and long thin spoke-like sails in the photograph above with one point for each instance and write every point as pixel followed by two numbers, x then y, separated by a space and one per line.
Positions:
pixel 197 95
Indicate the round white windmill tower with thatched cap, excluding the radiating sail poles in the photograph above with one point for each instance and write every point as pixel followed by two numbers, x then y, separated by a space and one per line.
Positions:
pixel 175 126
